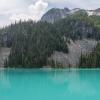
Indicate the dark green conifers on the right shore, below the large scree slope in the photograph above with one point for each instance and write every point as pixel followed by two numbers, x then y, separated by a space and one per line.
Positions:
pixel 91 60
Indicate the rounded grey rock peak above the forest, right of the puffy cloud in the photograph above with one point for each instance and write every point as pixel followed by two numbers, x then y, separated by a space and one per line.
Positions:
pixel 55 14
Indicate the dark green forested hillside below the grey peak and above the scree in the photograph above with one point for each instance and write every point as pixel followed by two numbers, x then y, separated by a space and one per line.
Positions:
pixel 33 43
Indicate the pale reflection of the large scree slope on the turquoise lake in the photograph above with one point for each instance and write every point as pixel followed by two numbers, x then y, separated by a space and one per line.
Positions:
pixel 74 82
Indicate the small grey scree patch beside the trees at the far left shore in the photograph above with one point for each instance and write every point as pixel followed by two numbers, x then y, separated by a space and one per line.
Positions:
pixel 4 53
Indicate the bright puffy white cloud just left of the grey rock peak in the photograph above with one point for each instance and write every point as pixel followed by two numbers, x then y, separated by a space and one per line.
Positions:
pixel 33 12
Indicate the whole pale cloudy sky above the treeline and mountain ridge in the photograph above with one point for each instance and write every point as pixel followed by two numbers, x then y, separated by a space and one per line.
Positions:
pixel 14 10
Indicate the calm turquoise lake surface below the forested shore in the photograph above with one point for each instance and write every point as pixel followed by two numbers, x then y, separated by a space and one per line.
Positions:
pixel 50 85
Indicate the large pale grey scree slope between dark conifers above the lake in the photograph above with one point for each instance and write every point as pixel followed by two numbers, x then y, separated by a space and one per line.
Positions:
pixel 75 50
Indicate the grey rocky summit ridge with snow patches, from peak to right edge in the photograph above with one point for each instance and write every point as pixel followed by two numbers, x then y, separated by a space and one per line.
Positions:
pixel 55 14
